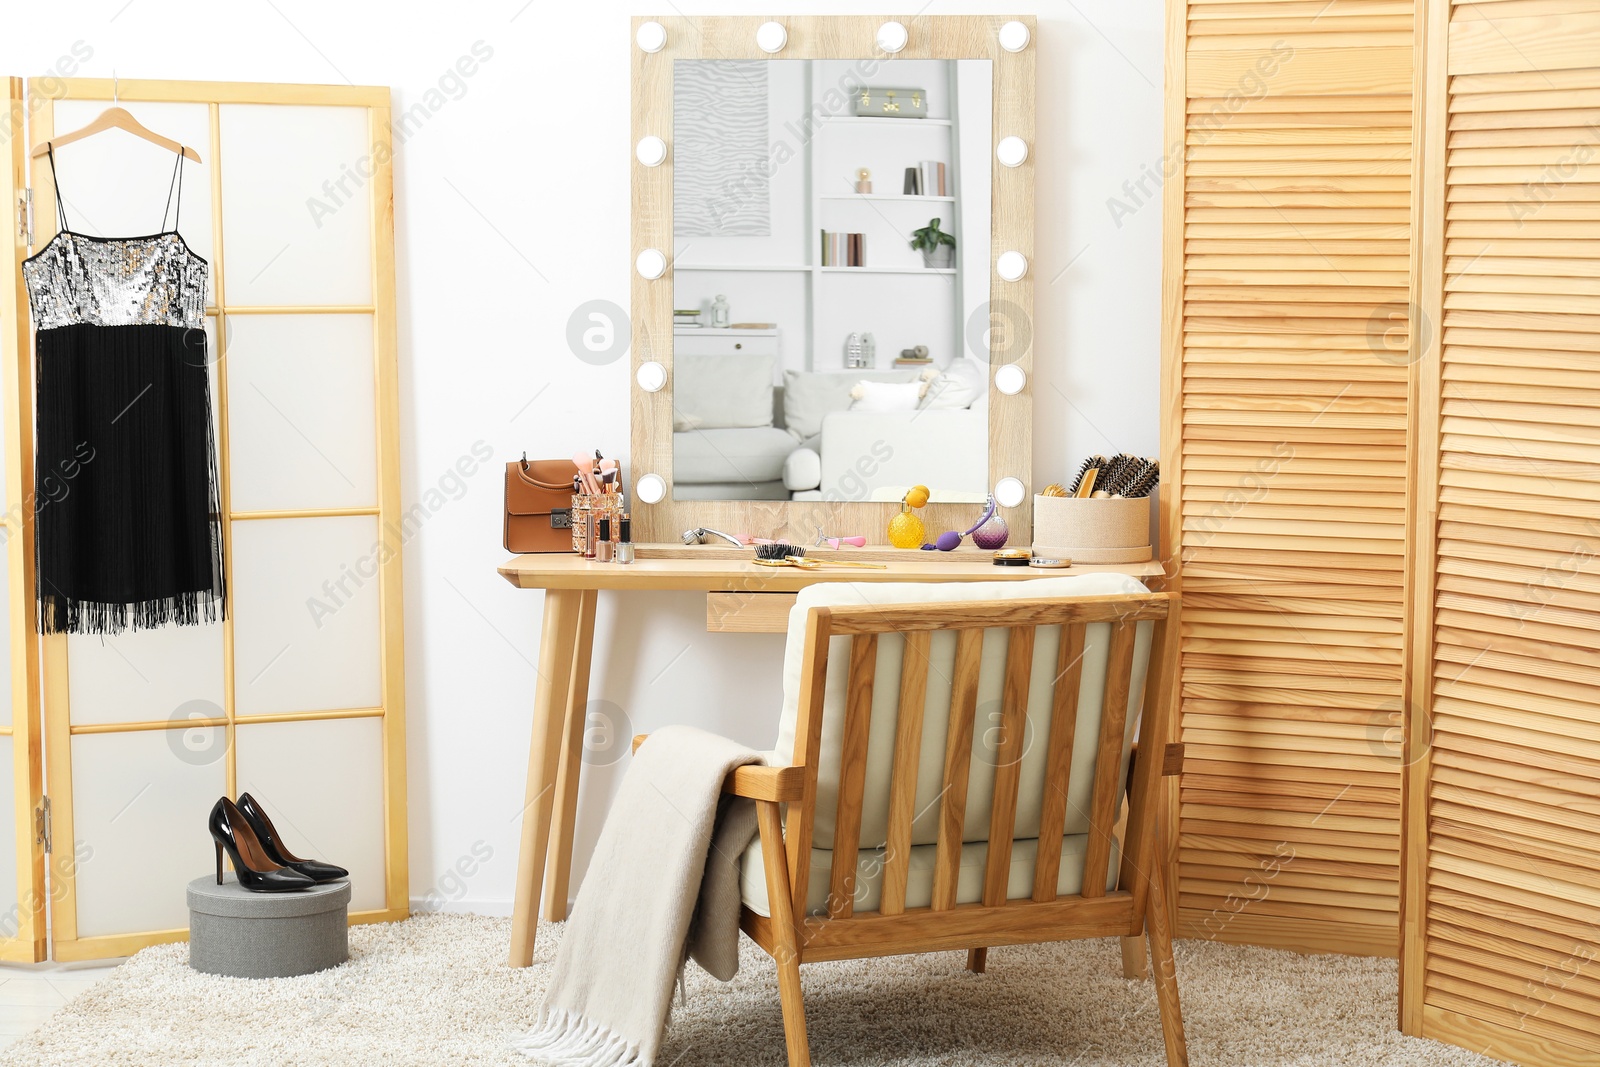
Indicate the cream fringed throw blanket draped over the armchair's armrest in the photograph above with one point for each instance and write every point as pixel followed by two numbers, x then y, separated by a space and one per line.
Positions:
pixel 658 889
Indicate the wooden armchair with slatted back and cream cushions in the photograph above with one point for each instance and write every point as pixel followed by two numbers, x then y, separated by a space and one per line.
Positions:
pixel 886 805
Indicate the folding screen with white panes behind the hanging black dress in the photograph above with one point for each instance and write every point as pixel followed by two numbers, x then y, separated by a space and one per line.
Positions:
pixel 298 695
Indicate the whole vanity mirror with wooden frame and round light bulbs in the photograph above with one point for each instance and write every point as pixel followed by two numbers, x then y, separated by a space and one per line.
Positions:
pixel 833 225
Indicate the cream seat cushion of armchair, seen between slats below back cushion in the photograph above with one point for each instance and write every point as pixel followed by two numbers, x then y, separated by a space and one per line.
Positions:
pixel 919 876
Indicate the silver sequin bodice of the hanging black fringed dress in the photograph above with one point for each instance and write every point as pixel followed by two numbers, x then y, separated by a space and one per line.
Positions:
pixel 116 282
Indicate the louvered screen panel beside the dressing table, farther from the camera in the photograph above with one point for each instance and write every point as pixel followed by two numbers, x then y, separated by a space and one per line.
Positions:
pixel 1289 439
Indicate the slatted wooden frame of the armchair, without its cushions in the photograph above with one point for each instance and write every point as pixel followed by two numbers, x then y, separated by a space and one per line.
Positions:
pixel 954 919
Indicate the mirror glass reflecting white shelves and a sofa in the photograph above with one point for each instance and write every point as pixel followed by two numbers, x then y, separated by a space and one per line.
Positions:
pixel 831 265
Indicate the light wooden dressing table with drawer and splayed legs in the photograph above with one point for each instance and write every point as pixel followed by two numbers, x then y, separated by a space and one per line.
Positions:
pixel 740 597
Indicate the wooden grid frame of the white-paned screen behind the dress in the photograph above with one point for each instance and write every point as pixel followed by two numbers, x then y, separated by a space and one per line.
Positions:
pixel 66 945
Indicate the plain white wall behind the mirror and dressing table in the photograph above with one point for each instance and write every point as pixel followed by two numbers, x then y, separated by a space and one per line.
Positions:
pixel 513 204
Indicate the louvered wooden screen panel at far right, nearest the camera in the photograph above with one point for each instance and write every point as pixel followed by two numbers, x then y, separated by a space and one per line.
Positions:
pixel 1506 861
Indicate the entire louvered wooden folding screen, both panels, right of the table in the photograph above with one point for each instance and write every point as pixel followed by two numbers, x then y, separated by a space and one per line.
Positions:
pixel 1382 404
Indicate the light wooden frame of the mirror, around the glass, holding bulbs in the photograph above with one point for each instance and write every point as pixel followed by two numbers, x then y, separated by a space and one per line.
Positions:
pixel 1012 230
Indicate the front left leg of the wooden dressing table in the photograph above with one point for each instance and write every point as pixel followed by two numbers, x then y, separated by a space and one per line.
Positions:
pixel 558 644
